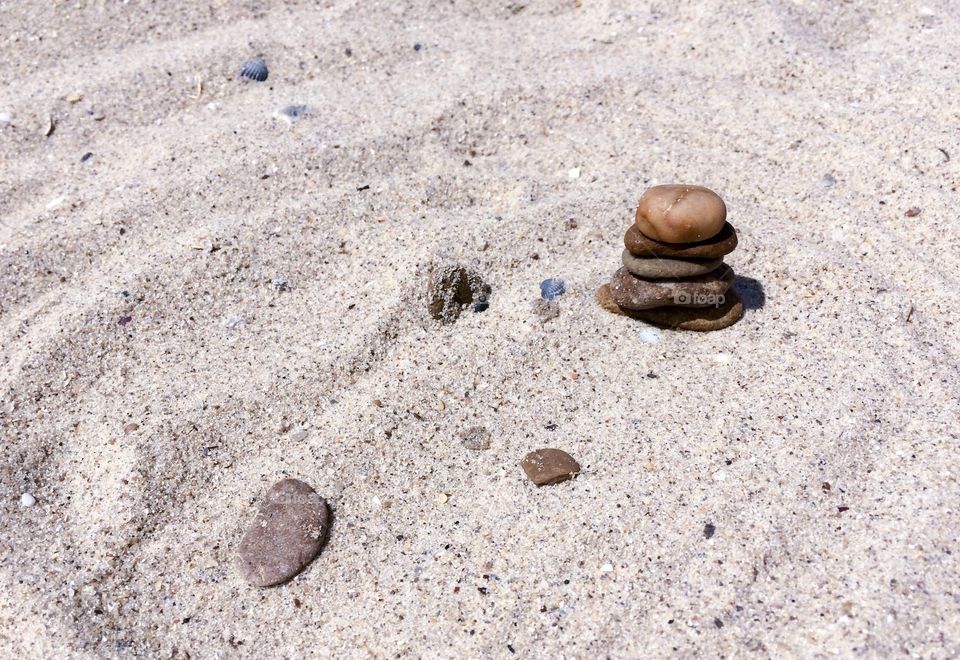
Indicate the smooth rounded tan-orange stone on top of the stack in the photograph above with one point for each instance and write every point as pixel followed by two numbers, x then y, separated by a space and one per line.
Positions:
pixel 678 213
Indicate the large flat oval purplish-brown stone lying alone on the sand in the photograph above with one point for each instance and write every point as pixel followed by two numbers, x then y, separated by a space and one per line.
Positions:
pixel 288 532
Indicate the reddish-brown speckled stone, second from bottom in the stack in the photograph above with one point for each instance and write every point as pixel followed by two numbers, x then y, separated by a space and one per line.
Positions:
pixel 634 292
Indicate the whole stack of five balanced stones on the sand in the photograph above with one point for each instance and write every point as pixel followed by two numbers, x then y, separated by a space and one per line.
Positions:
pixel 673 273
